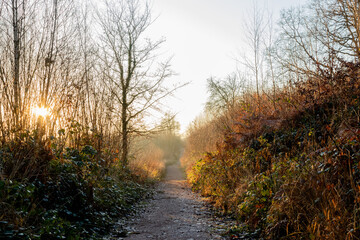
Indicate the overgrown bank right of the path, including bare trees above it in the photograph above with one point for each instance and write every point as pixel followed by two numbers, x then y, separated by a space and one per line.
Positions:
pixel 283 157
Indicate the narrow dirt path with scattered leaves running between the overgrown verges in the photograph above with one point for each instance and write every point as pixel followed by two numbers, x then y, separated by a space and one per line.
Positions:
pixel 174 213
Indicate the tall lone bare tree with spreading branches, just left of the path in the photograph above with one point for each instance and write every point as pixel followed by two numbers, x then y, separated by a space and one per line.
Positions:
pixel 133 77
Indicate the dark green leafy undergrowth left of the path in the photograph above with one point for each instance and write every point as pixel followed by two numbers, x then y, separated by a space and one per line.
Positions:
pixel 70 193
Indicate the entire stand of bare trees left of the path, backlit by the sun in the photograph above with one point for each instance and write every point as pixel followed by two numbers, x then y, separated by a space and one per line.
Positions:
pixel 104 89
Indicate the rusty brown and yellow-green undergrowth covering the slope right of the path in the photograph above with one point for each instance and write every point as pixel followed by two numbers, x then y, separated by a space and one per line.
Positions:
pixel 294 174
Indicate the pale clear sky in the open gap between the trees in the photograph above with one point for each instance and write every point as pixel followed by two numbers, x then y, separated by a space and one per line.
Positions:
pixel 204 37
